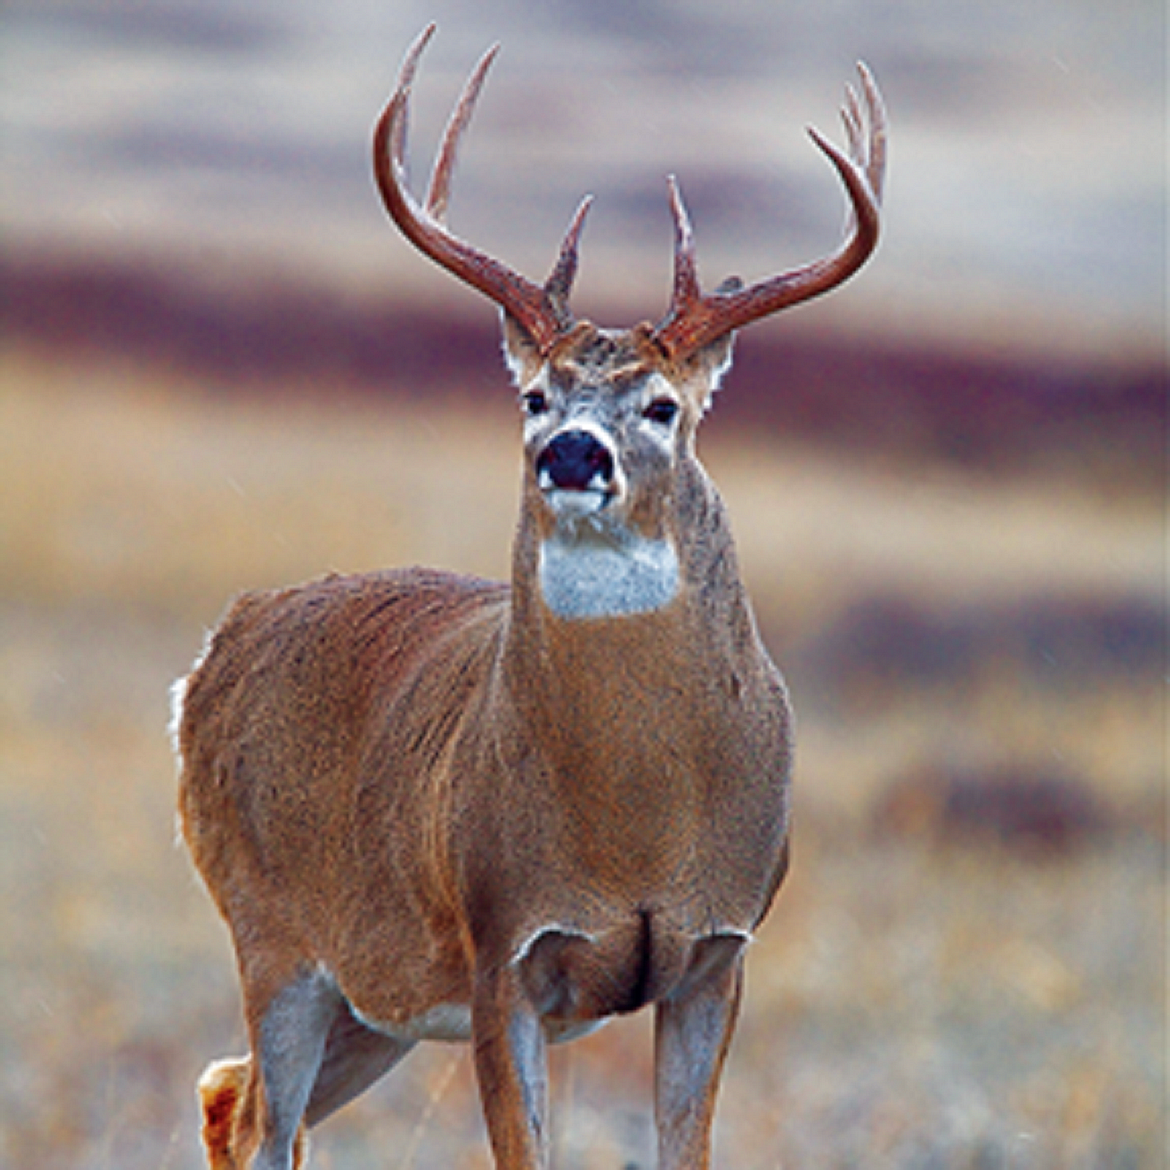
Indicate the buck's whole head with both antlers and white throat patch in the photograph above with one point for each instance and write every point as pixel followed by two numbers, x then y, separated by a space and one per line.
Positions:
pixel 610 415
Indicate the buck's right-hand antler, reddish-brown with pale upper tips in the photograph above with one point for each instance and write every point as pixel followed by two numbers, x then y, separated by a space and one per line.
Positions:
pixel 696 319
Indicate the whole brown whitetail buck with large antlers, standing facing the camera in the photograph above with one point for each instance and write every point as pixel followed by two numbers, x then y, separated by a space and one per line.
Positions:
pixel 433 808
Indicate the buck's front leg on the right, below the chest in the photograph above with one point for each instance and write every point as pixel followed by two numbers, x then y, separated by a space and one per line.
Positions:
pixel 693 1034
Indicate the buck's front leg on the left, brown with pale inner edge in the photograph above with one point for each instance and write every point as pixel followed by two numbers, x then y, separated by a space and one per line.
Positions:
pixel 512 1070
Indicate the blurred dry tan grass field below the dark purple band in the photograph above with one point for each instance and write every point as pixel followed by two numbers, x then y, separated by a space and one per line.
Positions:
pixel 967 968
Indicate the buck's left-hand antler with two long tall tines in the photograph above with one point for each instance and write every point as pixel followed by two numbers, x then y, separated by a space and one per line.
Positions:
pixel 543 311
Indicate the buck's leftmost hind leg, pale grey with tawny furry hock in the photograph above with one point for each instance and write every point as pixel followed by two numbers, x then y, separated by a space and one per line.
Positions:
pixel 254 1107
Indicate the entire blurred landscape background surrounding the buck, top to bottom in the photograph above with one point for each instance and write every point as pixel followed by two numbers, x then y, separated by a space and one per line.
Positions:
pixel 222 370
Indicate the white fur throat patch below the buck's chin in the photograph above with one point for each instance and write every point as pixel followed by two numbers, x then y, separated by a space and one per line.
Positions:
pixel 593 573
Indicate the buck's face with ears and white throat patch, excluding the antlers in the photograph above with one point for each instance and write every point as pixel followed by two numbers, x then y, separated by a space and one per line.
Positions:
pixel 608 426
